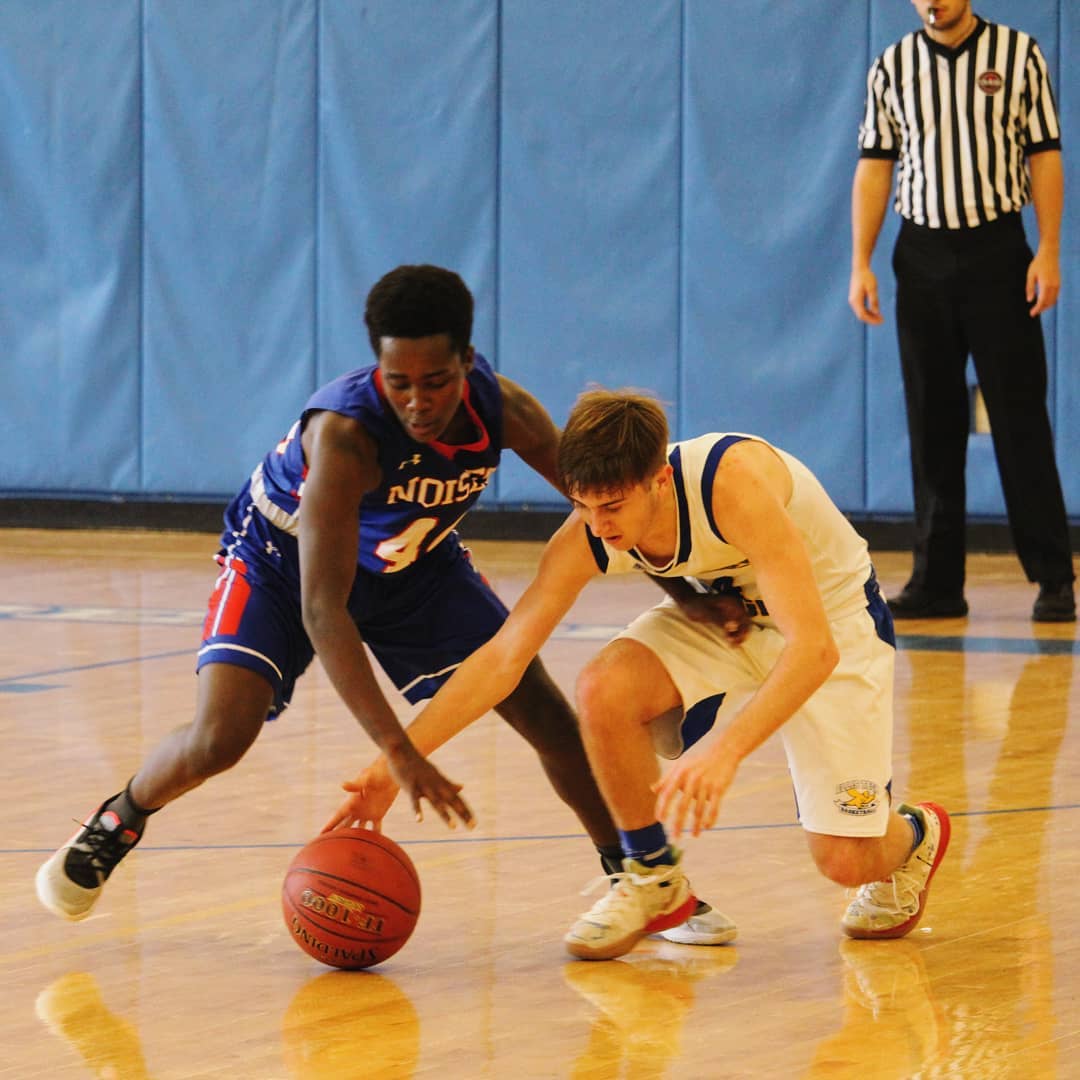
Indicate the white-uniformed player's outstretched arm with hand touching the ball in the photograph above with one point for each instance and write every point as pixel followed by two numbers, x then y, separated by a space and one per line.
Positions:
pixel 488 677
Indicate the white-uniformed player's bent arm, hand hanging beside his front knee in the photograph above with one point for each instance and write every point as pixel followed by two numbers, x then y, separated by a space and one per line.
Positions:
pixel 750 492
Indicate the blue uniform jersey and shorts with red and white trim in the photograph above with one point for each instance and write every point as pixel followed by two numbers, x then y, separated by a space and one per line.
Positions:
pixel 421 624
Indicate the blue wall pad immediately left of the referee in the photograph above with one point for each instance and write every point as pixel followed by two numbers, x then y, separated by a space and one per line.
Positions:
pixel 769 344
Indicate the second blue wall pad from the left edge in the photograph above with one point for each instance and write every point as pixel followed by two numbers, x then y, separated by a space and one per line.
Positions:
pixel 228 336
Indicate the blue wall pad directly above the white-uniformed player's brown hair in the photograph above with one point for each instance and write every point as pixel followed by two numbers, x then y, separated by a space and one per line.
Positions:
pixel 589 201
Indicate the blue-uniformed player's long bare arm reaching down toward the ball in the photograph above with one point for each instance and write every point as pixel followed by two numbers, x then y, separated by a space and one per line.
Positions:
pixel 342 468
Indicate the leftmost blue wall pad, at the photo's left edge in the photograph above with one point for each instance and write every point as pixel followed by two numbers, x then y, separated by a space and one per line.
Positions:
pixel 70 245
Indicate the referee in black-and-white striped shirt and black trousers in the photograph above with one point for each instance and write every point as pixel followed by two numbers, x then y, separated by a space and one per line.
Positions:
pixel 965 107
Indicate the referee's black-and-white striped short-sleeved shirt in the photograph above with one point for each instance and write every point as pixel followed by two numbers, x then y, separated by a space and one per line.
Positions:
pixel 961 123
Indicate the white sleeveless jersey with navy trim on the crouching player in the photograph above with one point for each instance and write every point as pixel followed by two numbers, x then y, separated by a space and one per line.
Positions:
pixel 839 555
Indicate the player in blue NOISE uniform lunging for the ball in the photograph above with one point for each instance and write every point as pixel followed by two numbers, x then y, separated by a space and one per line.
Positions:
pixel 345 534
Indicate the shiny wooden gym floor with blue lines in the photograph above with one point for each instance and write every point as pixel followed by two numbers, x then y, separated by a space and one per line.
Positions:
pixel 186 970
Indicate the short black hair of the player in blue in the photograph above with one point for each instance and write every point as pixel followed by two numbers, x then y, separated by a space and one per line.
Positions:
pixel 421 301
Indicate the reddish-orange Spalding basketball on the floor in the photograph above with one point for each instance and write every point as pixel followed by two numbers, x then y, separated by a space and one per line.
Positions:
pixel 352 898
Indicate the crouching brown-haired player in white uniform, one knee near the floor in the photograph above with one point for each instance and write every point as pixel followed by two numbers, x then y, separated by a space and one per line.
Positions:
pixel 726 514
